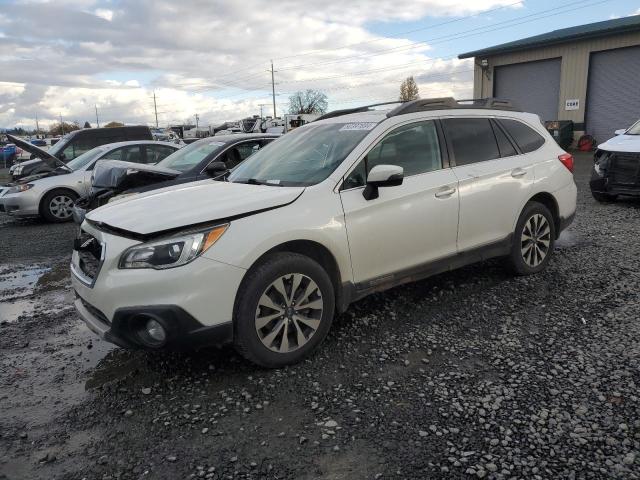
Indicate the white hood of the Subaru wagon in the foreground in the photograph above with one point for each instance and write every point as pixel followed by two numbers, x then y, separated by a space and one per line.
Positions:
pixel 191 204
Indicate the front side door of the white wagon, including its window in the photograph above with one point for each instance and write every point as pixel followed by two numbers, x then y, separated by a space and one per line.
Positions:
pixel 407 226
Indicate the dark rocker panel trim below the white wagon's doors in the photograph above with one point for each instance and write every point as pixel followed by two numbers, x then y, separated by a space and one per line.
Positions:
pixel 362 289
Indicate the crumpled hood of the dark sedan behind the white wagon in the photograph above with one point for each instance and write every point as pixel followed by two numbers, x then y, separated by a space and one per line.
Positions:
pixel 118 175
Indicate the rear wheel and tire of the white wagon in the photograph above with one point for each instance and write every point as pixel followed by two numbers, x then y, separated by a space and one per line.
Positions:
pixel 533 240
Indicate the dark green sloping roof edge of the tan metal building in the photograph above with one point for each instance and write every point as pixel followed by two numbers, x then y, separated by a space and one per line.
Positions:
pixel 581 32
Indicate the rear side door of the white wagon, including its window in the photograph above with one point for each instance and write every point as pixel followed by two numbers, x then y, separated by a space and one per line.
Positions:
pixel 495 179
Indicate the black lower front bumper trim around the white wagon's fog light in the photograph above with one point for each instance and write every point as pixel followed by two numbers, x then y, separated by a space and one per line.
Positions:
pixel 182 330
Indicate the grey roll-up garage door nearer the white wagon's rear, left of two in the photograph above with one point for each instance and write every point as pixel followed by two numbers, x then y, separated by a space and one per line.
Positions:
pixel 532 86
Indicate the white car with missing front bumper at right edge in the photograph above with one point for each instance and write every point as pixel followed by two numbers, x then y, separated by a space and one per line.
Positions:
pixel 616 166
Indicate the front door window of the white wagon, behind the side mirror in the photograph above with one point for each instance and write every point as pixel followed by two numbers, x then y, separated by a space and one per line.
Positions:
pixel 413 147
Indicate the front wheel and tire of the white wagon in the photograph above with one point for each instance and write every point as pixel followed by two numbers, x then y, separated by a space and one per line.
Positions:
pixel 284 310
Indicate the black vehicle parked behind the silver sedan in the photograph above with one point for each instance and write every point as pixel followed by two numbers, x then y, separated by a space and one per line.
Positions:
pixel 73 145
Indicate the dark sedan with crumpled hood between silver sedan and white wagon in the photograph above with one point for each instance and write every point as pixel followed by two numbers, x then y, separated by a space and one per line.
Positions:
pixel 206 158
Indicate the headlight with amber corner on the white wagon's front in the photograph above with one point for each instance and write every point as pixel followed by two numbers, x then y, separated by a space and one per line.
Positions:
pixel 171 252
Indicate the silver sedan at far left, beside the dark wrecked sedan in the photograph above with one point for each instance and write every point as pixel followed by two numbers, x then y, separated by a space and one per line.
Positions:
pixel 51 195
